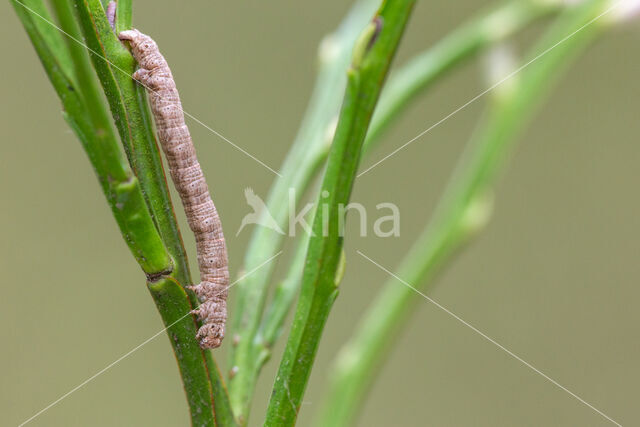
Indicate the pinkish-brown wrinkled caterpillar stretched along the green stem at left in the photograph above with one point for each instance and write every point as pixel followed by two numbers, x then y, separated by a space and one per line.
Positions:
pixel 155 75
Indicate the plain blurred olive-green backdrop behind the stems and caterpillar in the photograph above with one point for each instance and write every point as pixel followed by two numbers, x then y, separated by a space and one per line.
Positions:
pixel 554 278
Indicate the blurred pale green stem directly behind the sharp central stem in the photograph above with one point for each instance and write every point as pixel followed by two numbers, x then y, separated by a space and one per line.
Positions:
pixel 308 152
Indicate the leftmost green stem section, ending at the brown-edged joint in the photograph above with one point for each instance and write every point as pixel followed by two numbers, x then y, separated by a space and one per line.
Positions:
pixel 119 185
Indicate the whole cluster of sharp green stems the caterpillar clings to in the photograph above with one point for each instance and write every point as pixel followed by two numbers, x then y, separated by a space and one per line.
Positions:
pixel 125 194
